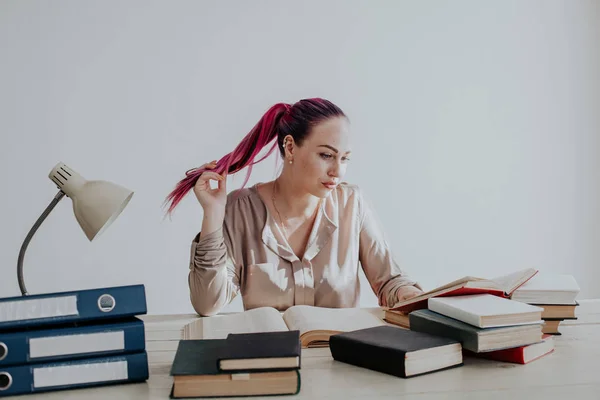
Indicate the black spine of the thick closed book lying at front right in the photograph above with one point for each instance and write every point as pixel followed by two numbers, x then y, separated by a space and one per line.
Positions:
pixel 375 358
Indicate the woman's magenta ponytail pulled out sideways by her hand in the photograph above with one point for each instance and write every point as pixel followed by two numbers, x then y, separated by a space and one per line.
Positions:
pixel 241 157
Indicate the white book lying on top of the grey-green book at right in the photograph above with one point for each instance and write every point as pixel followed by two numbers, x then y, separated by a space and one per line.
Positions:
pixel 486 310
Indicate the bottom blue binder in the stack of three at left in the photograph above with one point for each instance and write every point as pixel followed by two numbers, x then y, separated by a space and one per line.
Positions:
pixel 44 377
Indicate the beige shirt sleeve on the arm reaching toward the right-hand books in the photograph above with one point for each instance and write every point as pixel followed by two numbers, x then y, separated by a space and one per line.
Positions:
pixel 381 269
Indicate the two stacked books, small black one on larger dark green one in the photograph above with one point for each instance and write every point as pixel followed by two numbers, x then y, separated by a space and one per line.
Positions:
pixel 242 364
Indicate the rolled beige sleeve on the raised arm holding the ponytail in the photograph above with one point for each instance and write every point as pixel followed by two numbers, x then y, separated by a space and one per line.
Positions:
pixel 214 279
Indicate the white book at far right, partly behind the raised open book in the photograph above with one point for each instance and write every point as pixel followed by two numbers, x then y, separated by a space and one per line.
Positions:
pixel 548 288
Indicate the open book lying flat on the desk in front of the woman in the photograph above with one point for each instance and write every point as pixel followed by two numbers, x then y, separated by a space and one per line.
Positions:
pixel 316 324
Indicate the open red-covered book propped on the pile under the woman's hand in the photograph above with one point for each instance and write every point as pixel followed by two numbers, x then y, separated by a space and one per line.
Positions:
pixel 502 286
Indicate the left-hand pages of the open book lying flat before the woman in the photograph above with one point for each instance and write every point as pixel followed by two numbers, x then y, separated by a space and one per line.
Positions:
pixel 263 319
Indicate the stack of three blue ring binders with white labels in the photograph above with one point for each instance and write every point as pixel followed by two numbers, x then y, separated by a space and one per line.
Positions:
pixel 72 340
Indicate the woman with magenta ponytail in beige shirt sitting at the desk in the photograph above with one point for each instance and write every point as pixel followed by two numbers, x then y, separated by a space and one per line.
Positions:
pixel 298 239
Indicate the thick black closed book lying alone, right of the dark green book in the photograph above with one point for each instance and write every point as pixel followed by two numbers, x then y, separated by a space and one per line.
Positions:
pixel 396 351
